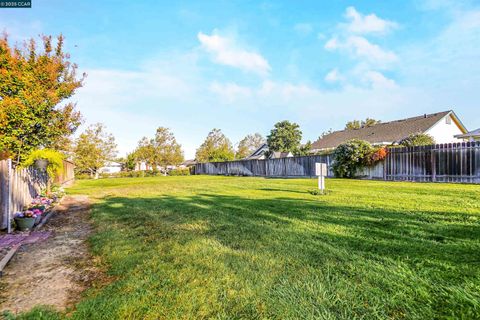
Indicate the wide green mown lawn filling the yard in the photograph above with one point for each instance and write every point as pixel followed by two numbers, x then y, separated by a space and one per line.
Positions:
pixel 252 248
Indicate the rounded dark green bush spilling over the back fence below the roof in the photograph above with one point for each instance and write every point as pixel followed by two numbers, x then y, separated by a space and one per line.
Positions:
pixel 349 157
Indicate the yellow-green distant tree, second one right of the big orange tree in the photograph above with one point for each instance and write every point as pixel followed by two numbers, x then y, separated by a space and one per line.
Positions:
pixel 162 150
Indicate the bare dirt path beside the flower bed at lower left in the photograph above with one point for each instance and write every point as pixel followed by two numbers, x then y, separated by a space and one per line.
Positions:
pixel 53 272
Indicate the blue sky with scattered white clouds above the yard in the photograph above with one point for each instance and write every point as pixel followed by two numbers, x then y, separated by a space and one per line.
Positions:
pixel 241 66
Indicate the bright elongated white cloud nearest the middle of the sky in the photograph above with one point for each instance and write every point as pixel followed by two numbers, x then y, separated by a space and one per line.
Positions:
pixel 225 51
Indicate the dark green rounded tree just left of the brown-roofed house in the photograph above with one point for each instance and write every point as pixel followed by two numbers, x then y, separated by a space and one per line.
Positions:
pixel 285 137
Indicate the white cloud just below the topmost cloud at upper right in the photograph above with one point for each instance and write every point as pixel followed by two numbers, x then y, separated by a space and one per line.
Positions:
pixel 361 48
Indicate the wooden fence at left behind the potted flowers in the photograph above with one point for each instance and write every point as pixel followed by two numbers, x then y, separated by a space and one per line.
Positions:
pixel 20 186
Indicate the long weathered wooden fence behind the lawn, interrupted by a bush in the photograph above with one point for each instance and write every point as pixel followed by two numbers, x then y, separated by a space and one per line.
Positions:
pixel 453 162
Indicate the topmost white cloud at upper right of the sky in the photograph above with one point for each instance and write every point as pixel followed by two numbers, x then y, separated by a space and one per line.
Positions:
pixel 364 24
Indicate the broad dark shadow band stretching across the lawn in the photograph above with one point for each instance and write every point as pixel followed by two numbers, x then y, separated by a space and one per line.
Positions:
pixel 309 226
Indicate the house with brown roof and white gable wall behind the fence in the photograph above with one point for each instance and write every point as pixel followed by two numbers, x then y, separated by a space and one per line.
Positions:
pixel 444 127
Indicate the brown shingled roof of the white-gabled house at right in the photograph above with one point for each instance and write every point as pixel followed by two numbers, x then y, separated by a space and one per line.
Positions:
pixel 386 132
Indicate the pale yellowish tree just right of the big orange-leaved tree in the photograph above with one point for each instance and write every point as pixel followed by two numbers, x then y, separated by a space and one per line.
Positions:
pixel 93 148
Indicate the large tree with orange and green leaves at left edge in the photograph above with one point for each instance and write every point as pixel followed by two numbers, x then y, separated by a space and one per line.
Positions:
pixel 34 83
